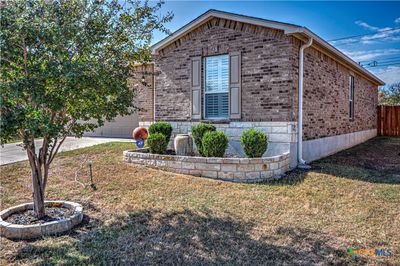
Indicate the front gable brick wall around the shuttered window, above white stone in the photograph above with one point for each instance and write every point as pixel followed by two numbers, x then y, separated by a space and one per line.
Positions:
pixel 266 70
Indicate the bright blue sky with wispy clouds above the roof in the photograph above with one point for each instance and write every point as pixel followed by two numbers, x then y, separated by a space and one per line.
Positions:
pixel 379 51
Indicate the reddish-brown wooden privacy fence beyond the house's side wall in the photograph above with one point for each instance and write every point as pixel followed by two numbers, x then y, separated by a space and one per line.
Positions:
pixel 388 120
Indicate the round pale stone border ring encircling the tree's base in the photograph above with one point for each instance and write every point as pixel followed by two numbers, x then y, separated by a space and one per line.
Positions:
pixel 17 231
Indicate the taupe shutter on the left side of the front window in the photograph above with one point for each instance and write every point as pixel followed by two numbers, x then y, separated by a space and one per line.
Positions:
pixel 196 87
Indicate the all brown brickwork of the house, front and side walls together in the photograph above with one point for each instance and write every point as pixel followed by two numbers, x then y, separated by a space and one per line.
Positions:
pixel 269 80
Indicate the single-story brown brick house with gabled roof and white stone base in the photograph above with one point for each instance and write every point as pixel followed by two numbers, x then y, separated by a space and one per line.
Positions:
pixel 241 72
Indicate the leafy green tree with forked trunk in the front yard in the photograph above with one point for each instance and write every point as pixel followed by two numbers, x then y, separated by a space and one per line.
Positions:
pixel 65 69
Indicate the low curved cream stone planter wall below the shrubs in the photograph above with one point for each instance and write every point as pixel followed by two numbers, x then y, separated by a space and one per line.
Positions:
pixel 246 170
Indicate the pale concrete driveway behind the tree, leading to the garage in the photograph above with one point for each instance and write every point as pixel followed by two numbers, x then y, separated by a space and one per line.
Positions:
pixel 13 152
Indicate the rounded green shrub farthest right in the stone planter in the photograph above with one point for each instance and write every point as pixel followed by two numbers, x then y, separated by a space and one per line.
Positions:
pixel 254 143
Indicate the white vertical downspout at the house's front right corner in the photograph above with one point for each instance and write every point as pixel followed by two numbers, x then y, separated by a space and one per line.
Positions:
pixel 301 162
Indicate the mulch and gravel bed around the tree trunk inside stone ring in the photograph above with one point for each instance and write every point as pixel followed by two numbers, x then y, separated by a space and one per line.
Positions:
pixel 27 217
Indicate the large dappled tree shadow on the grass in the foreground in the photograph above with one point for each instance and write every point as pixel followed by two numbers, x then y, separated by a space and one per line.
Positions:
pixel 186 237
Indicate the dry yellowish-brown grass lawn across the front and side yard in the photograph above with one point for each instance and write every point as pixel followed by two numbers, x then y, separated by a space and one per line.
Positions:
pixel 140 215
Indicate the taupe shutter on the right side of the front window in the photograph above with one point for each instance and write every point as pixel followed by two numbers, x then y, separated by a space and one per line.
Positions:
pixel 235 84
